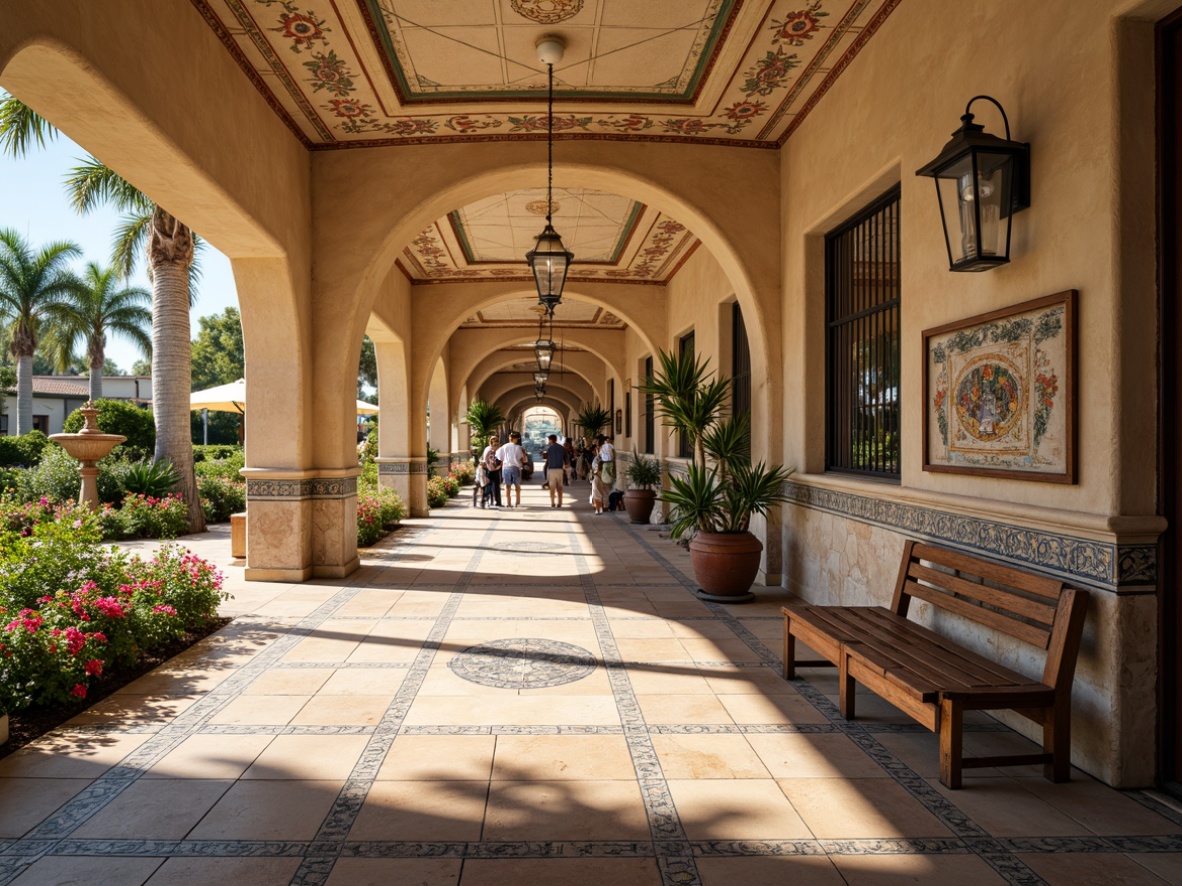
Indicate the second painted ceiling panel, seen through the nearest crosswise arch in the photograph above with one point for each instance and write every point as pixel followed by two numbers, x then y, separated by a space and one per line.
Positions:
pixel 614 239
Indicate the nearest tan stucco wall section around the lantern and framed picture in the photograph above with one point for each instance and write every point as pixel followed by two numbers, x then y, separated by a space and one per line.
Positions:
pixel 1077 83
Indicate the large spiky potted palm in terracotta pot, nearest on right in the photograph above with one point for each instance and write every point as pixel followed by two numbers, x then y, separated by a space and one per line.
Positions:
pixel 722 491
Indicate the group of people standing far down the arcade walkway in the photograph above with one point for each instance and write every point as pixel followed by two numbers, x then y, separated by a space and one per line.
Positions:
pixel 502 466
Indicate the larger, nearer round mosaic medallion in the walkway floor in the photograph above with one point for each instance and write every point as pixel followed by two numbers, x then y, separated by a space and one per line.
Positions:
pixel 525 663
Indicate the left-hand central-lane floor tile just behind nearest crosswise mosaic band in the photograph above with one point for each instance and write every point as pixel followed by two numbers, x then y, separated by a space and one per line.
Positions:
pixel 423 811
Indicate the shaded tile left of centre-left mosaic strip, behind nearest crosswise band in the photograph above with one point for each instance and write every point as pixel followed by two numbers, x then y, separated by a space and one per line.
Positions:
pixel 269 811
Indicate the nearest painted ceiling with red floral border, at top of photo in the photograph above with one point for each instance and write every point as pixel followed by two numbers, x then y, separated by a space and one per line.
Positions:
pixel 365 73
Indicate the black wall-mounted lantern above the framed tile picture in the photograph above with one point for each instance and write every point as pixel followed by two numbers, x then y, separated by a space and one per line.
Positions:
pixel 982 181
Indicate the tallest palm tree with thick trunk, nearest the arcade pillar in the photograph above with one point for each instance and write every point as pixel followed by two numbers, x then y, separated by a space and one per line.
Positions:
pixel 171 249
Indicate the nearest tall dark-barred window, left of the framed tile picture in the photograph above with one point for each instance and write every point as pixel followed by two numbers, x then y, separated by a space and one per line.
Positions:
pixel 862 296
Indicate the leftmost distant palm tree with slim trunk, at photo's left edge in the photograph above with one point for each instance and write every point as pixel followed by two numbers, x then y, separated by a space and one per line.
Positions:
pixel 33 284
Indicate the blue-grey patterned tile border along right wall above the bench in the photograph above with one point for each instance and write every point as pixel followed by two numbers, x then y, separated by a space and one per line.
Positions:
pixel 1105 566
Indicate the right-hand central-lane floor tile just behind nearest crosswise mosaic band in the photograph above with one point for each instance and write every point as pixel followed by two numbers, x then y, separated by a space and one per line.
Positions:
pixel 566 811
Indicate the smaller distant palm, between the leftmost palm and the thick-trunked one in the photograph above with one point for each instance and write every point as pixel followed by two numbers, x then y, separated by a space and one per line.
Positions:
pixel 98 309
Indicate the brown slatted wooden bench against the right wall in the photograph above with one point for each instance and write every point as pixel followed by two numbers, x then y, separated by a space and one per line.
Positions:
pixel 936 680
